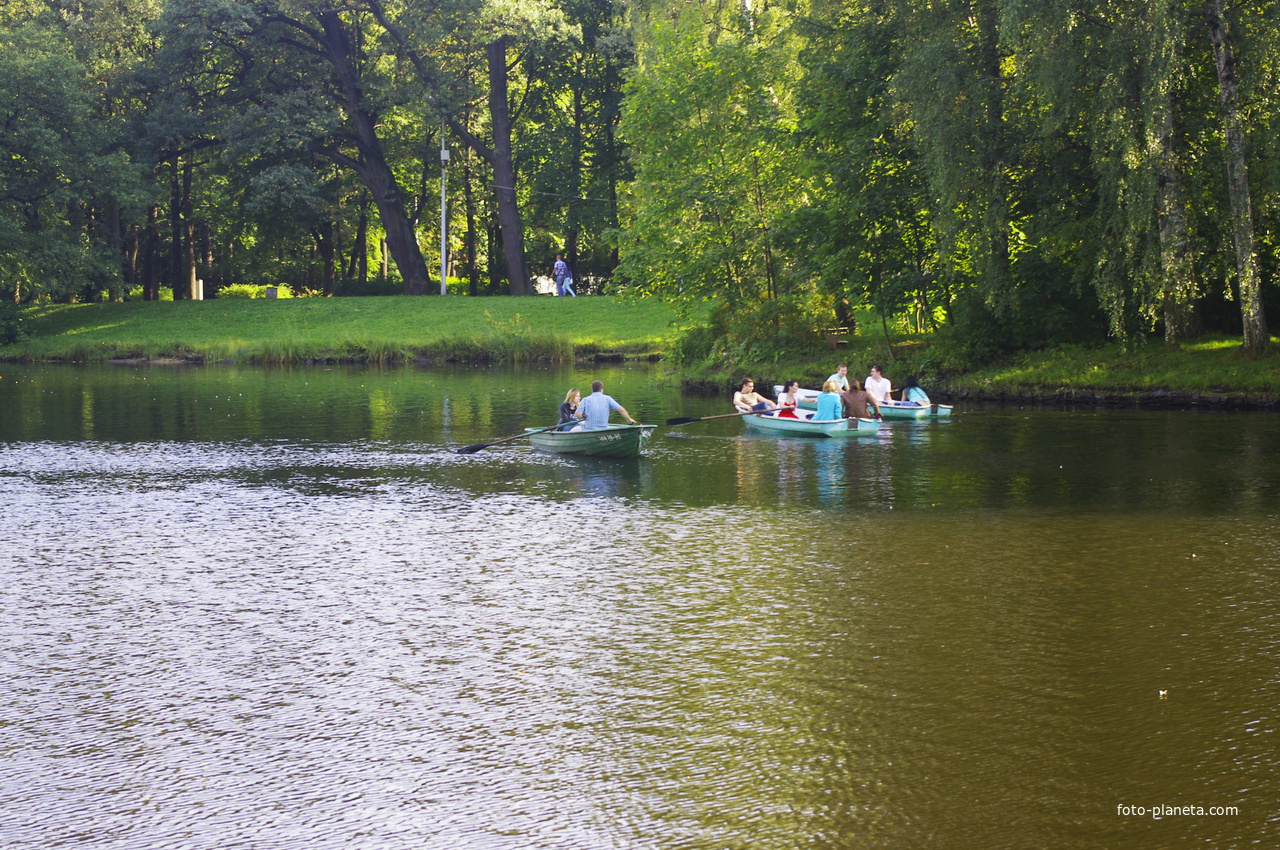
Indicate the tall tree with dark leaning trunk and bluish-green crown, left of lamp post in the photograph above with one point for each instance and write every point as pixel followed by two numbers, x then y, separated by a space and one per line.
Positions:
pixel 294 74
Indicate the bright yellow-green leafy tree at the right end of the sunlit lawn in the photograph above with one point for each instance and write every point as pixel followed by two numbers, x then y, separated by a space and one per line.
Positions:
pixel 708 118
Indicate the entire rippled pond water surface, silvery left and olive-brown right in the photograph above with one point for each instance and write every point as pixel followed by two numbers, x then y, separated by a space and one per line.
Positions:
pixel 273 609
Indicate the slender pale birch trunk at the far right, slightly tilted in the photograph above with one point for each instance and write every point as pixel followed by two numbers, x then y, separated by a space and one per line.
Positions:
pixel 1256 337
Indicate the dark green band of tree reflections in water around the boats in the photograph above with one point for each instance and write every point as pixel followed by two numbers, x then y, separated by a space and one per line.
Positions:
pixel 980 459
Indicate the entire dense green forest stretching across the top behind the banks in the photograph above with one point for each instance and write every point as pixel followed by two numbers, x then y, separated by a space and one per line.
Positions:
pixel 1009 172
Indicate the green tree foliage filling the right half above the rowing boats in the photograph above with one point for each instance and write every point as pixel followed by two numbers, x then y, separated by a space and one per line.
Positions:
pixel 1012 172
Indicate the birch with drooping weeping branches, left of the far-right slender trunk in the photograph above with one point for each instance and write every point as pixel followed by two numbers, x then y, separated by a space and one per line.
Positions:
pixel 1110 80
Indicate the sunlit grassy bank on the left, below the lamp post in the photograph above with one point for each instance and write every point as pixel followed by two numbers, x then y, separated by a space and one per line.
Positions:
pixel 386 330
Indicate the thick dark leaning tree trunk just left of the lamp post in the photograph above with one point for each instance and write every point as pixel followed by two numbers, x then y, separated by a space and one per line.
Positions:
pixel 373 168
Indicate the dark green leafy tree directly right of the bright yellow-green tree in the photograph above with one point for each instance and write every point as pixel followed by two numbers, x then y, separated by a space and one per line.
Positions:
pixel 867 232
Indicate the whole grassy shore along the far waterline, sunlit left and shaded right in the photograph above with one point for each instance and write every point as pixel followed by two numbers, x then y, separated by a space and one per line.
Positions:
pixel 401 330
